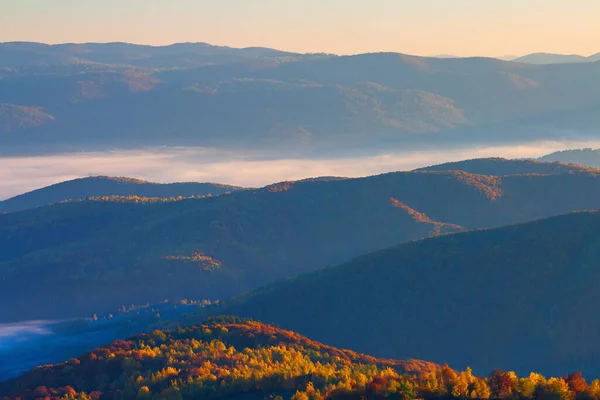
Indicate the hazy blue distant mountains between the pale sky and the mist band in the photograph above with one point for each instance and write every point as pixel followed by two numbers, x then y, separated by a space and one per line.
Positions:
pixel 202 95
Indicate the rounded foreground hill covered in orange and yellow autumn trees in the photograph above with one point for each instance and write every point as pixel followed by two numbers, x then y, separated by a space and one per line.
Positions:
pixel 223 357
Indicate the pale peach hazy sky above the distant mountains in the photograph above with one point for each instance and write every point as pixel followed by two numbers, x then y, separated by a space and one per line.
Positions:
pixel 423 27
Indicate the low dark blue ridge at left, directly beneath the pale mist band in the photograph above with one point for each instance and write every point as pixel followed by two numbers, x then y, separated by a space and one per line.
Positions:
pixel 105 186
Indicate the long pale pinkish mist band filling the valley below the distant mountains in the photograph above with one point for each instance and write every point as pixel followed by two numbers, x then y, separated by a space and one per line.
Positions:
pixel 250 169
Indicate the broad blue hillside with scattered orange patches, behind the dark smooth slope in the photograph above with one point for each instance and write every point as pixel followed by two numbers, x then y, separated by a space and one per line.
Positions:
pixel 80 258
